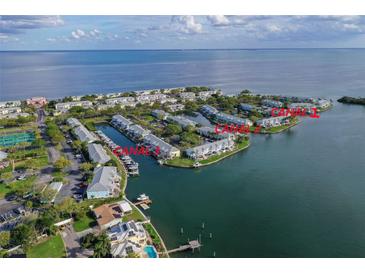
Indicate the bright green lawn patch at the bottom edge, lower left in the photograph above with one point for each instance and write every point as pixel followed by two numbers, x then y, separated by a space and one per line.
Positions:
pixel 51 248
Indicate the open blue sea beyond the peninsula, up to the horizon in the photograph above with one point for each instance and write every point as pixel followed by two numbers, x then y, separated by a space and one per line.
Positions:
pixel 303 72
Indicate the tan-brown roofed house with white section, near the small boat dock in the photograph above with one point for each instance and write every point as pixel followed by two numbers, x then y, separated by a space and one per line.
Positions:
pixel 108 215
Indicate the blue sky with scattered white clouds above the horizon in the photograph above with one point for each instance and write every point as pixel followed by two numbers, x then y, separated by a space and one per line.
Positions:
pixel 180 32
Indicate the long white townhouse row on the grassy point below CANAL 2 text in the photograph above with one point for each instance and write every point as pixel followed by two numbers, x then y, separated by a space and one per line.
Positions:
pixel 210 149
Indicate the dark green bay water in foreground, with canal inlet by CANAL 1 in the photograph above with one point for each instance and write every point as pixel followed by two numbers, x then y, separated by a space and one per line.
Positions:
pixel 295 194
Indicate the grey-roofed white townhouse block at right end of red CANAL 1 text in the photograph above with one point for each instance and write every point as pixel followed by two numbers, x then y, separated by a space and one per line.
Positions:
pixel 166 151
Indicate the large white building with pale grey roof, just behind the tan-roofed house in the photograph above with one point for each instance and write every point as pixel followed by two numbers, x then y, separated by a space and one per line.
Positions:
pixel 105 183
